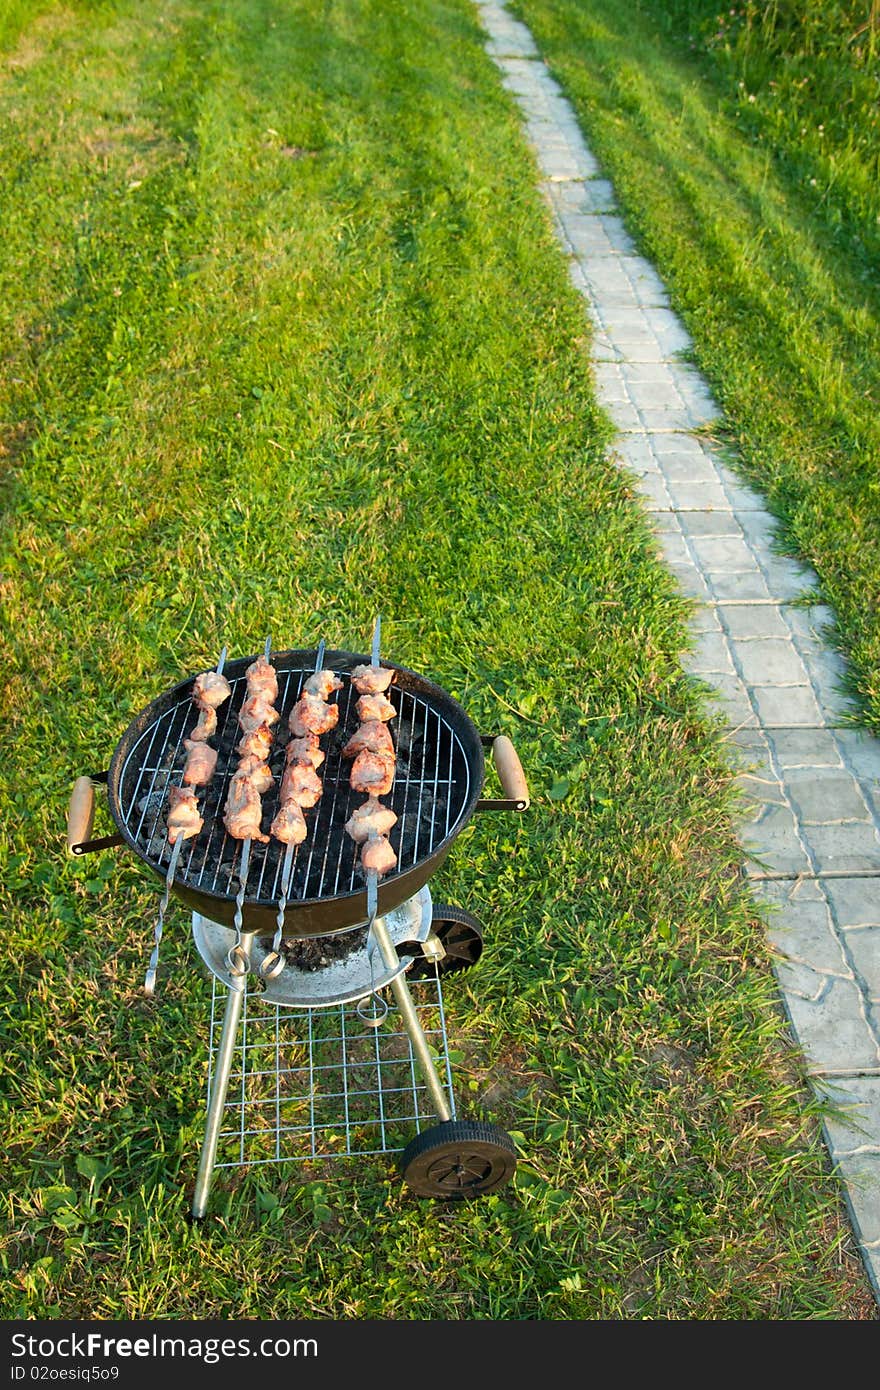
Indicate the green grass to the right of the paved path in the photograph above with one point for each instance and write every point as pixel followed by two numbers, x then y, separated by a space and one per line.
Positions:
pixel 743 148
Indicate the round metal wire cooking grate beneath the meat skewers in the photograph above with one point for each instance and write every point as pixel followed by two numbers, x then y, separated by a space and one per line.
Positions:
pixel 430 792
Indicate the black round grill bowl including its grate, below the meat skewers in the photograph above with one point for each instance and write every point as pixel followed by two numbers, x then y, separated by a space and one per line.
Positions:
pixel 440 776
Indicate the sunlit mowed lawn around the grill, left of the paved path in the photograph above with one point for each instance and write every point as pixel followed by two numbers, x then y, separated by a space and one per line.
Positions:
pixel 287 343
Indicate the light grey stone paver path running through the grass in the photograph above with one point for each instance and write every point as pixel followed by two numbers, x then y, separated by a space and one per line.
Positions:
pixel 811 833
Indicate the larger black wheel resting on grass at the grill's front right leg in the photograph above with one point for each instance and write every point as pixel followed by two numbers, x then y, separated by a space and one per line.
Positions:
pixel 458 1160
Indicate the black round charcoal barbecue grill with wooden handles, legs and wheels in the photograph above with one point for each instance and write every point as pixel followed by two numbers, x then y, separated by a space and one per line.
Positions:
pixel 341 972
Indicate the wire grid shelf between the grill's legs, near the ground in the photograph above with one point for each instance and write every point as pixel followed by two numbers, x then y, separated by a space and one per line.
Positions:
pixel 319 1084
